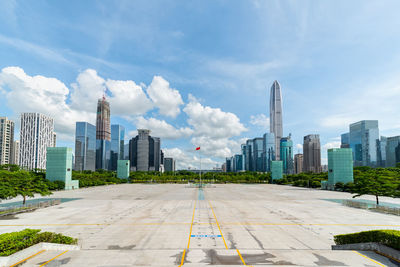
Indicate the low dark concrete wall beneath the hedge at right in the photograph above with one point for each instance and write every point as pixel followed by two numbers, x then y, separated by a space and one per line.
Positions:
pixel 371 246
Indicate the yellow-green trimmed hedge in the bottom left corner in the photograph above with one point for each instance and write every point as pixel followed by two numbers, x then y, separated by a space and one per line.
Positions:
pixel 16 241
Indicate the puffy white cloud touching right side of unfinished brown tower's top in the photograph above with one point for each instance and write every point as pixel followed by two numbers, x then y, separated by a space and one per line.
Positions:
pixel 128 98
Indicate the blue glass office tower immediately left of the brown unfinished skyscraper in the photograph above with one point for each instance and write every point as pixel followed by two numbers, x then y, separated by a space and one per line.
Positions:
pixel 85 146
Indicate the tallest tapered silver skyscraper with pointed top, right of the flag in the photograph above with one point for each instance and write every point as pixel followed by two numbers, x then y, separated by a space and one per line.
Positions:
pixel 275 115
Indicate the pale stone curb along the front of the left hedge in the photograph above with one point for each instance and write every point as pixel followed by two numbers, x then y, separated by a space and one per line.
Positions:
pixel 25 253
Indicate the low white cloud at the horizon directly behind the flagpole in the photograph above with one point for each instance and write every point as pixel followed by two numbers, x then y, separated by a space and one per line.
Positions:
pixel 185 160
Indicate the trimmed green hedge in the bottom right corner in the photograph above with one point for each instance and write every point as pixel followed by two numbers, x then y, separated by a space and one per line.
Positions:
pixel 390 238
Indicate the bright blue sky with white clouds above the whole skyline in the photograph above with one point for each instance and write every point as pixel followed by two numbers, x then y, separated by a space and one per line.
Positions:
pixel 198 73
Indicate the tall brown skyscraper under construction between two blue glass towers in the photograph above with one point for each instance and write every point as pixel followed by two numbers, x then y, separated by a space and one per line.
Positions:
pixel 103 135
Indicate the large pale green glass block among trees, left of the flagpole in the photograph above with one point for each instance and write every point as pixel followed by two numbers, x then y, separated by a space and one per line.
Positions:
pixel 59 166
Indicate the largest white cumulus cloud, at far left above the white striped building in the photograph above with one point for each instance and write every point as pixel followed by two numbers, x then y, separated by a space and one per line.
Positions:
pixel 26 93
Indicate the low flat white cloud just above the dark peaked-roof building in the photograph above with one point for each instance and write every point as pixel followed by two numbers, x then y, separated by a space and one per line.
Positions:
pixel 161 128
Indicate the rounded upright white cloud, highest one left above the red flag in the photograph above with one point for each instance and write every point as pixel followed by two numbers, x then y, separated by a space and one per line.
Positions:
pixel 164 97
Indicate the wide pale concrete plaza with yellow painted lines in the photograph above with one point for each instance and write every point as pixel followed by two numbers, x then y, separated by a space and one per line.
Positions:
pixel 178 225
